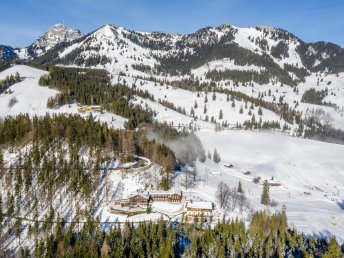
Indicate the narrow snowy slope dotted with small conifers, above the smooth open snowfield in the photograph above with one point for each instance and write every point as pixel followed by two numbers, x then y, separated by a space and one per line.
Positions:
pixel 186 100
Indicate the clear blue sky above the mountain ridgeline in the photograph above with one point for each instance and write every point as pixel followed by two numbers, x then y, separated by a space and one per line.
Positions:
pixel 22 21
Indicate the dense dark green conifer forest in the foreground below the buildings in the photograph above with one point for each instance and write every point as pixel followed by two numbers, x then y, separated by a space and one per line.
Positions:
pixel 266 236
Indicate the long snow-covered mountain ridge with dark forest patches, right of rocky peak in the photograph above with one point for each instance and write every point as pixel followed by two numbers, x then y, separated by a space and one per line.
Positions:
pixel 261 54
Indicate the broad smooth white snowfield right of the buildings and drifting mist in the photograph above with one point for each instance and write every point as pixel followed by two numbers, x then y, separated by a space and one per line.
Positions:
pixel 311 175
